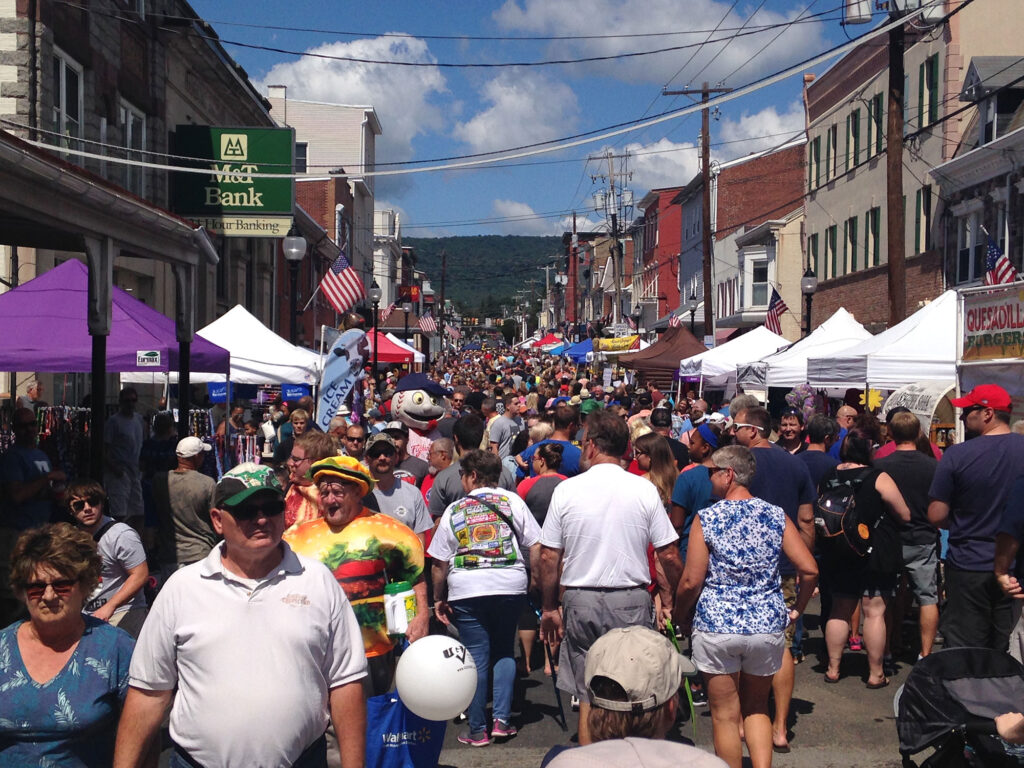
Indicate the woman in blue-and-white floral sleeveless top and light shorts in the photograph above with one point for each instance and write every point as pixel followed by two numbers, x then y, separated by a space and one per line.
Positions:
pixel 739 630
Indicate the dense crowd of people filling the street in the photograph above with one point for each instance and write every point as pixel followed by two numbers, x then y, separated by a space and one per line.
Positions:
pixel 584 521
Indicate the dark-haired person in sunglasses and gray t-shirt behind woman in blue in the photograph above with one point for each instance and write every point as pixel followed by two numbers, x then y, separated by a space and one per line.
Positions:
pixel 118 599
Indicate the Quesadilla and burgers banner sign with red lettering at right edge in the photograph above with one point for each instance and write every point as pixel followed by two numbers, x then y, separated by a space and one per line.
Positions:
pixel 994 325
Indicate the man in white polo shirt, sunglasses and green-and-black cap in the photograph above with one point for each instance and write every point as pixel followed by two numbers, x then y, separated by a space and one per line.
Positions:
pixel 262 645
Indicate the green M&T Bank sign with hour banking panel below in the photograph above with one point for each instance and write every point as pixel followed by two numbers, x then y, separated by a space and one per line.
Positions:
pixel 230 198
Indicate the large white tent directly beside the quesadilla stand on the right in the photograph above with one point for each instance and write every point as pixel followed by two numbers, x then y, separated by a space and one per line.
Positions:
pixel 921 349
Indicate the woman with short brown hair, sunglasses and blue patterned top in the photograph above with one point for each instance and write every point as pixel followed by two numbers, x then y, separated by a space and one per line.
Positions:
pixel 64 674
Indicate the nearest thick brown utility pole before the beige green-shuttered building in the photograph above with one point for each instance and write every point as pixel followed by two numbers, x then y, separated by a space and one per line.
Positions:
pixel 897 216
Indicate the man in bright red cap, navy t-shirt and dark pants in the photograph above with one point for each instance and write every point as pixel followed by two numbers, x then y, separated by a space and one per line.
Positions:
pixel 969 494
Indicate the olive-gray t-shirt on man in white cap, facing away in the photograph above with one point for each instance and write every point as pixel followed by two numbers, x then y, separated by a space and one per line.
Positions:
pixel 184 504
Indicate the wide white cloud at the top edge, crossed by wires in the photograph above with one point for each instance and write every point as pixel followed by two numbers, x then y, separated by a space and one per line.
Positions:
pixel 636 17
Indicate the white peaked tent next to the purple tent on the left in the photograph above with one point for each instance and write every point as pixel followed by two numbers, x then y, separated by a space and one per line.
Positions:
pixel 259 355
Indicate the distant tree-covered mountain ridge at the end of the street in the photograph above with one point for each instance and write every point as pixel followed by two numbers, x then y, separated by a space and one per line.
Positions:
pixel 486 271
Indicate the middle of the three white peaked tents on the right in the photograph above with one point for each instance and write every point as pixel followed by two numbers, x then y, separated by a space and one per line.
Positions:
pixel 789 368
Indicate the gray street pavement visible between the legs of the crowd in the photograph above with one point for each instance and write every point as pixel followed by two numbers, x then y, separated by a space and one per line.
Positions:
pixel 832 727
